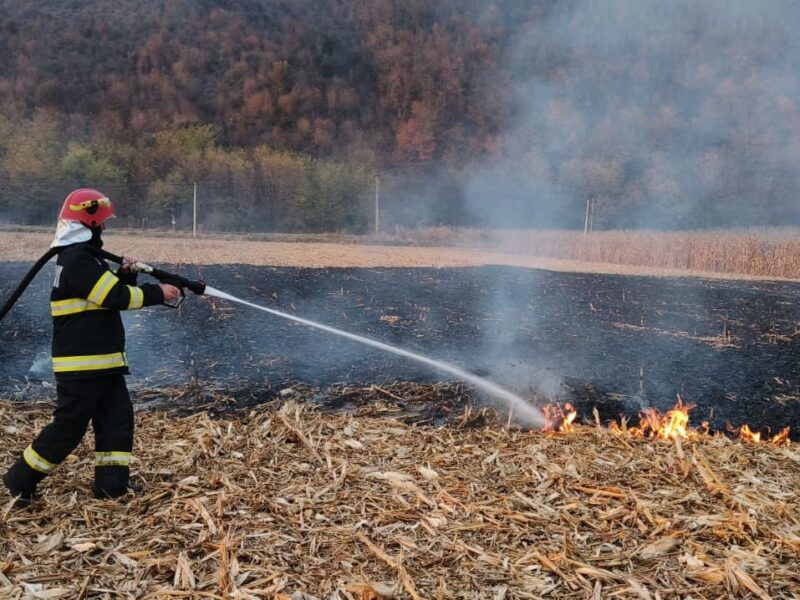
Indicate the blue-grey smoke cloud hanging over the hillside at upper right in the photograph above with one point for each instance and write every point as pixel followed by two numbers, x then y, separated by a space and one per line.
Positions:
pixel 667 115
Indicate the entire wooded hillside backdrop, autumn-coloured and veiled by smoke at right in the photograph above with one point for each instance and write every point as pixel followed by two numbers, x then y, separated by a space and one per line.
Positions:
pixel 512 112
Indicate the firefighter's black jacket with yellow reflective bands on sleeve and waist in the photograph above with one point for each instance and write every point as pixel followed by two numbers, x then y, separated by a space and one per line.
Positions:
pixel 88 336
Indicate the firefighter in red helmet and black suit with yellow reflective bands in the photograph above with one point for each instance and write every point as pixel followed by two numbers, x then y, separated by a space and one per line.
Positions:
pixel 88 355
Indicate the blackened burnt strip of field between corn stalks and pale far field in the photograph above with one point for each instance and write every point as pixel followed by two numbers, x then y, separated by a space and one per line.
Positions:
pixel 619 343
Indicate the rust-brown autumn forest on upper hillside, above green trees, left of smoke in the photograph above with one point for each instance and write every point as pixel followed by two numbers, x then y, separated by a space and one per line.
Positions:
pixel 388 81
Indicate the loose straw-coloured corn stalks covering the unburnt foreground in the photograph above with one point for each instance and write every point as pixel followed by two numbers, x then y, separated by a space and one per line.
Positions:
pixel 300 504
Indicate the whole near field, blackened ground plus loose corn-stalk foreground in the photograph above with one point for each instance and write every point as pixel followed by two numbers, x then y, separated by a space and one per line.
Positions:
pixel 292 465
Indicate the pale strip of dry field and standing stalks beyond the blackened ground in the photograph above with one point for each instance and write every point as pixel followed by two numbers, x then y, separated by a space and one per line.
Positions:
pixel 756 255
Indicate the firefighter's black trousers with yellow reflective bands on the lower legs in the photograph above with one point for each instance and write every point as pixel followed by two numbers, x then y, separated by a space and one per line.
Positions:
pixel 103 401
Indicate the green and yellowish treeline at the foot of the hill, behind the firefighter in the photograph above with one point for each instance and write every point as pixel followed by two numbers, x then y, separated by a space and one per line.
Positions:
pixel 152 182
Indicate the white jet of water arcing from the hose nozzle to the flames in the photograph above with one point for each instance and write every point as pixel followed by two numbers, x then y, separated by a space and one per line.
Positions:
pixel 531 415
